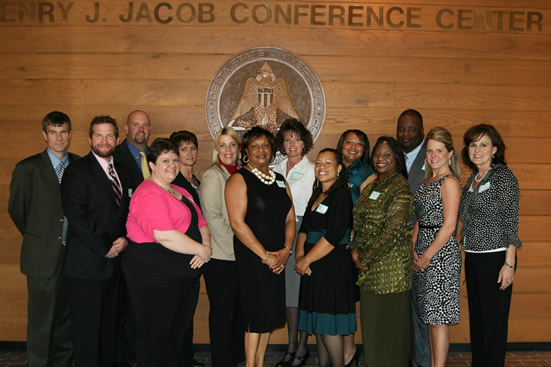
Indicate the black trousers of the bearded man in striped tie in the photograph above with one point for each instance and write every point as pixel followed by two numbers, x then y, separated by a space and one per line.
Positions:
pixel 94 309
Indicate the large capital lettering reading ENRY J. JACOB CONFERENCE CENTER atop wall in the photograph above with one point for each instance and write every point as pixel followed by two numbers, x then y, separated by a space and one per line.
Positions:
pixel 289 14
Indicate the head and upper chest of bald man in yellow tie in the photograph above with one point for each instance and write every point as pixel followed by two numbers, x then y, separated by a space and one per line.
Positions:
pixel 132 152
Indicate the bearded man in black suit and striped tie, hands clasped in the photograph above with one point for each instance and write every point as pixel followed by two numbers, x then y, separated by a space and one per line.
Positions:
pixel 95 194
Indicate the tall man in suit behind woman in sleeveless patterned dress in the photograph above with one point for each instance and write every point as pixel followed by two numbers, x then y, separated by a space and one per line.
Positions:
pixel 410 136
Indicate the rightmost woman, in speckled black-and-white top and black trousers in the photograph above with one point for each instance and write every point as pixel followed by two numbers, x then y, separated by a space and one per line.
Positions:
pixel 489 210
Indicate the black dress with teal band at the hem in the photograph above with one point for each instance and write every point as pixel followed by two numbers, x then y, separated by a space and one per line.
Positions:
pixel 327 300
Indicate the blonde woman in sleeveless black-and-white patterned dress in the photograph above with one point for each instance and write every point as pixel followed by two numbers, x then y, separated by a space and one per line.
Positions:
pixel 437 257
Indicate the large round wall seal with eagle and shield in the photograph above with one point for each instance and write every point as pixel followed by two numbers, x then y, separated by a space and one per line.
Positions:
pixel 264 86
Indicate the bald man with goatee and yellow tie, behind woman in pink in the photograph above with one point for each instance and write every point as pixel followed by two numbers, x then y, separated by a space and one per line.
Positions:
pixel 132 153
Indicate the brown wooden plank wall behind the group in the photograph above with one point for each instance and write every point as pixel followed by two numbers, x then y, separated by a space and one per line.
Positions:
pixel 455 78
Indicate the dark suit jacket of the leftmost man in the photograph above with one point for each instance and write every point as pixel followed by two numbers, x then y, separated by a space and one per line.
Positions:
pixel 35 208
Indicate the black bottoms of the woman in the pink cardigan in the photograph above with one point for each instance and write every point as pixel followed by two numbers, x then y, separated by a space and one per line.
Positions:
pixel 164 308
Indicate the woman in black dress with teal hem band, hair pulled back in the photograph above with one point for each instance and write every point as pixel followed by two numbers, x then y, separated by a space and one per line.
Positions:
pixel 326 303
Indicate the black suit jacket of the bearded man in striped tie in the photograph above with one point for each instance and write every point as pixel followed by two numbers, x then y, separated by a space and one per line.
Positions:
pixel 94 219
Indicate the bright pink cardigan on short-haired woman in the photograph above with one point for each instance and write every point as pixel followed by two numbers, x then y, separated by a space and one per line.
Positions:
pixel 153 208
